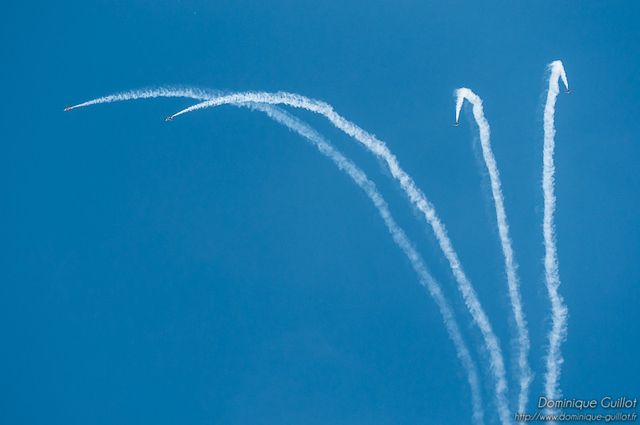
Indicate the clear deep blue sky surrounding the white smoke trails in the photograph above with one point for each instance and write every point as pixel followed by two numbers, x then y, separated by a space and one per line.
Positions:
pixel 217 270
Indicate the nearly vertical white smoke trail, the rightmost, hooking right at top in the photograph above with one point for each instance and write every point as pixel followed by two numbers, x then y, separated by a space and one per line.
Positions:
pixel 559 311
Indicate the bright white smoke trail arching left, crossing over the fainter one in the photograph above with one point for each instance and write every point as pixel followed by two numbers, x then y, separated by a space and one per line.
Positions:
pixel 415 195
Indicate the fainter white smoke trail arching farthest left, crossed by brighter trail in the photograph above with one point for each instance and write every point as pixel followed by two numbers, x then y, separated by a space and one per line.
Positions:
pixel 361 179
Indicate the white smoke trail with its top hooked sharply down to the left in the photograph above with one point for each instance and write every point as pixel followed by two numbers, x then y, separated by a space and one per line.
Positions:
pixel 505 240
